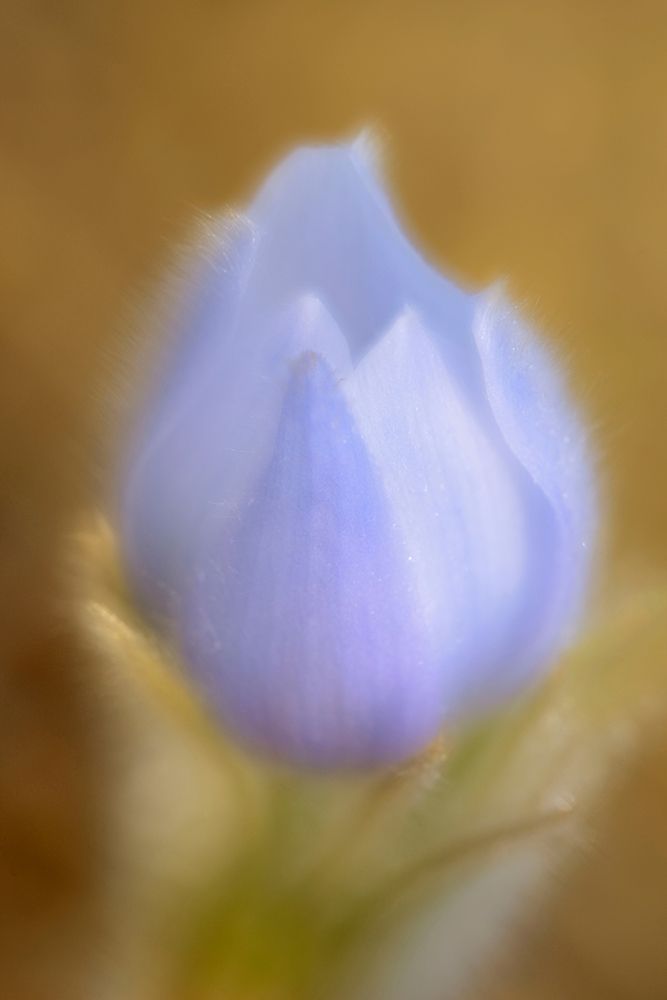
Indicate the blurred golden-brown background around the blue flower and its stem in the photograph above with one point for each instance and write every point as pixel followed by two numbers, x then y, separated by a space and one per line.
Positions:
pixel 524 139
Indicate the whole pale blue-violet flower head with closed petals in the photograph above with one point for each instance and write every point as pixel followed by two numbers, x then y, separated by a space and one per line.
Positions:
pixel 360 502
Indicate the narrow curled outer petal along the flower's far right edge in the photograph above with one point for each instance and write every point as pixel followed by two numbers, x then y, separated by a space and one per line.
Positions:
pixel 541 426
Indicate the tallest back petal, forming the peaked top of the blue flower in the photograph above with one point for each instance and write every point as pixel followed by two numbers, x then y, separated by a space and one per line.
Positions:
pixel 325 224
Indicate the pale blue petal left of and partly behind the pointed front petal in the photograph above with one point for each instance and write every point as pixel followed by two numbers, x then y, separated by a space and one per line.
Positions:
pixel 214 431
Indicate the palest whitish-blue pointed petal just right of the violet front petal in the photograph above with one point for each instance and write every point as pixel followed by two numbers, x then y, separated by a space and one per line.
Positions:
pixel 476 529
